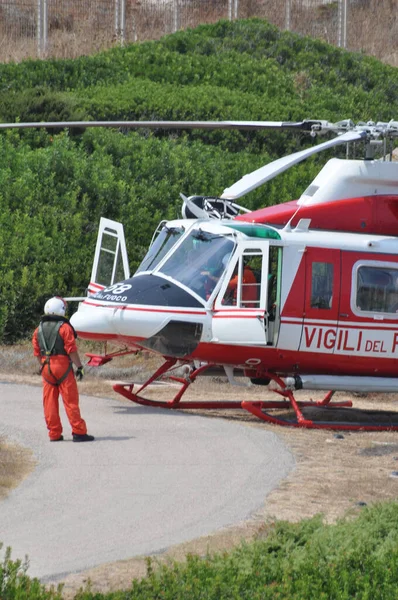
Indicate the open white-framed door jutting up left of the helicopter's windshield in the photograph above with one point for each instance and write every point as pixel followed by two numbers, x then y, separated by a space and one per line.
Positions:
pixel 110 259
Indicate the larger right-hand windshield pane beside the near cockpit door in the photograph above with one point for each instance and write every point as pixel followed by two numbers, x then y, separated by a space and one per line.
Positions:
pixel 199 261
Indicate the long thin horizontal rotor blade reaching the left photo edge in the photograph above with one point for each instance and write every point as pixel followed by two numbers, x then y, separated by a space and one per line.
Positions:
pixel 242 125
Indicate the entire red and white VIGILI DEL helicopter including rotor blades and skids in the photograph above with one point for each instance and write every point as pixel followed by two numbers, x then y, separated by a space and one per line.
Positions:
pixel 303 294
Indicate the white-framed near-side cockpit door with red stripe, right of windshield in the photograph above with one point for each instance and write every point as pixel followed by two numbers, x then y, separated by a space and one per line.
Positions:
pixel 240 316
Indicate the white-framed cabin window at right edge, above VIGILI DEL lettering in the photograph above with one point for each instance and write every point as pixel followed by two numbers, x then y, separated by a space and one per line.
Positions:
pixel 377 289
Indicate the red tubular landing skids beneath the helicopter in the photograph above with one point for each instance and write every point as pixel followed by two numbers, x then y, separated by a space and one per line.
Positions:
pixel 257 408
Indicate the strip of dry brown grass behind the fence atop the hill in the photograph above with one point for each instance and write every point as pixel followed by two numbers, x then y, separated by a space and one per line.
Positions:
pixel 76 29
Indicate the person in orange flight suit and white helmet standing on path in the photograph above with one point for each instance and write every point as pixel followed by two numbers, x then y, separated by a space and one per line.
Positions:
pixel 55 347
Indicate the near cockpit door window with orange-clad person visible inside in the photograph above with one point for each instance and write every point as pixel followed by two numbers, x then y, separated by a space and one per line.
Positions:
pixel 244 287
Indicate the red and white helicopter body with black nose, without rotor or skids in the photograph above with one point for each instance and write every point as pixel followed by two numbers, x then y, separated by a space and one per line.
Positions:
pixel 316 302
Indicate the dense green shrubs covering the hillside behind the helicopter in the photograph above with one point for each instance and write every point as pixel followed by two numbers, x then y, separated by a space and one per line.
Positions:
pixel 54 187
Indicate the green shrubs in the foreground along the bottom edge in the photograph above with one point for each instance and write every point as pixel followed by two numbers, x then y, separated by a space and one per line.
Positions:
pixel 355 558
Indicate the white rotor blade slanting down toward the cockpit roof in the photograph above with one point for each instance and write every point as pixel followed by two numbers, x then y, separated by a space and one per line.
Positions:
pixel 253 180
